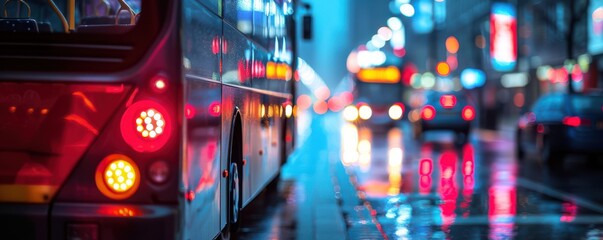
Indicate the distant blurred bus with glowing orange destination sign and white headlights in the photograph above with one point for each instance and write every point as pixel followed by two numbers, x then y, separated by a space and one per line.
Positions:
pixel 377 96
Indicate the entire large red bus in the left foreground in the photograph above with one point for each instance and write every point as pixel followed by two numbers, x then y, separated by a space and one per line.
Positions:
pixel 131 119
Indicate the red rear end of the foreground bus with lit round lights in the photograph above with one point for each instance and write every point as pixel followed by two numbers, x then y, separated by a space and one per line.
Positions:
pixel 89 119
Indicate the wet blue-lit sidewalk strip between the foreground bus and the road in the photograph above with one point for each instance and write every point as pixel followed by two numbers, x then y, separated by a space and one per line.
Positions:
pixel 328 205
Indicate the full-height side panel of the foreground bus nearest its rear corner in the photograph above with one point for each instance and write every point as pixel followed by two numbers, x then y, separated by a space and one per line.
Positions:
pixel 201 170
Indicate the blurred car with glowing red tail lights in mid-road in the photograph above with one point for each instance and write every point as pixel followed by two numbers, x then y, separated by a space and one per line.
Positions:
pixel 445 111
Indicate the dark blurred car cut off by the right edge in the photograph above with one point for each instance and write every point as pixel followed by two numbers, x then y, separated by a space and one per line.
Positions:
pixel 558 124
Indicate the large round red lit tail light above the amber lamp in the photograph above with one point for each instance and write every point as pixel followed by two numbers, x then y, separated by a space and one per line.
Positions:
pixel 145 126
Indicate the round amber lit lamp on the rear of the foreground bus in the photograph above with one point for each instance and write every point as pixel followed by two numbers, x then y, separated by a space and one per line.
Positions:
pixel 117 176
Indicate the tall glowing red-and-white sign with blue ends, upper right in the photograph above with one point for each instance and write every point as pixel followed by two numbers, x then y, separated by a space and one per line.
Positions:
pixel 503 37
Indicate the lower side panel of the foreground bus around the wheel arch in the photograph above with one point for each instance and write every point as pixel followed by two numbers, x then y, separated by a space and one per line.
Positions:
pixel 262 136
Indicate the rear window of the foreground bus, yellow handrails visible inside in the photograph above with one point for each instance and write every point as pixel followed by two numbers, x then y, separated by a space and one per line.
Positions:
pixel 70 16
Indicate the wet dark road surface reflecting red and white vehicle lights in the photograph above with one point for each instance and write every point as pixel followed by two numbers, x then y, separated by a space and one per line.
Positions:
pixel 436 189
